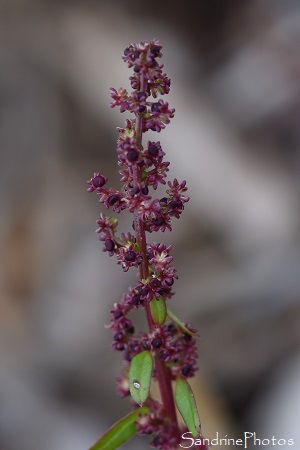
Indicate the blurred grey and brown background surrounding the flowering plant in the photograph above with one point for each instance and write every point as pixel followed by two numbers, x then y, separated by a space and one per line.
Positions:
pixel 235 138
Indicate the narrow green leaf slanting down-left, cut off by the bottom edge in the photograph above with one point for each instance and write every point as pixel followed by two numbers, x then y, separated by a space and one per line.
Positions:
pixel 120 432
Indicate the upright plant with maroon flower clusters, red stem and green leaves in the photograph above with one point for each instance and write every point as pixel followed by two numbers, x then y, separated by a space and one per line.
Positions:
pixel 166 352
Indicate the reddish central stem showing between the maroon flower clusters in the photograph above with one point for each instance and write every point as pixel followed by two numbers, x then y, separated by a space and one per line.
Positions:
pixel 162 373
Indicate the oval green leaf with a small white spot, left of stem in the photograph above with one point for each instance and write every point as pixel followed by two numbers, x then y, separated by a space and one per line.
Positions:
pixel 140 373
